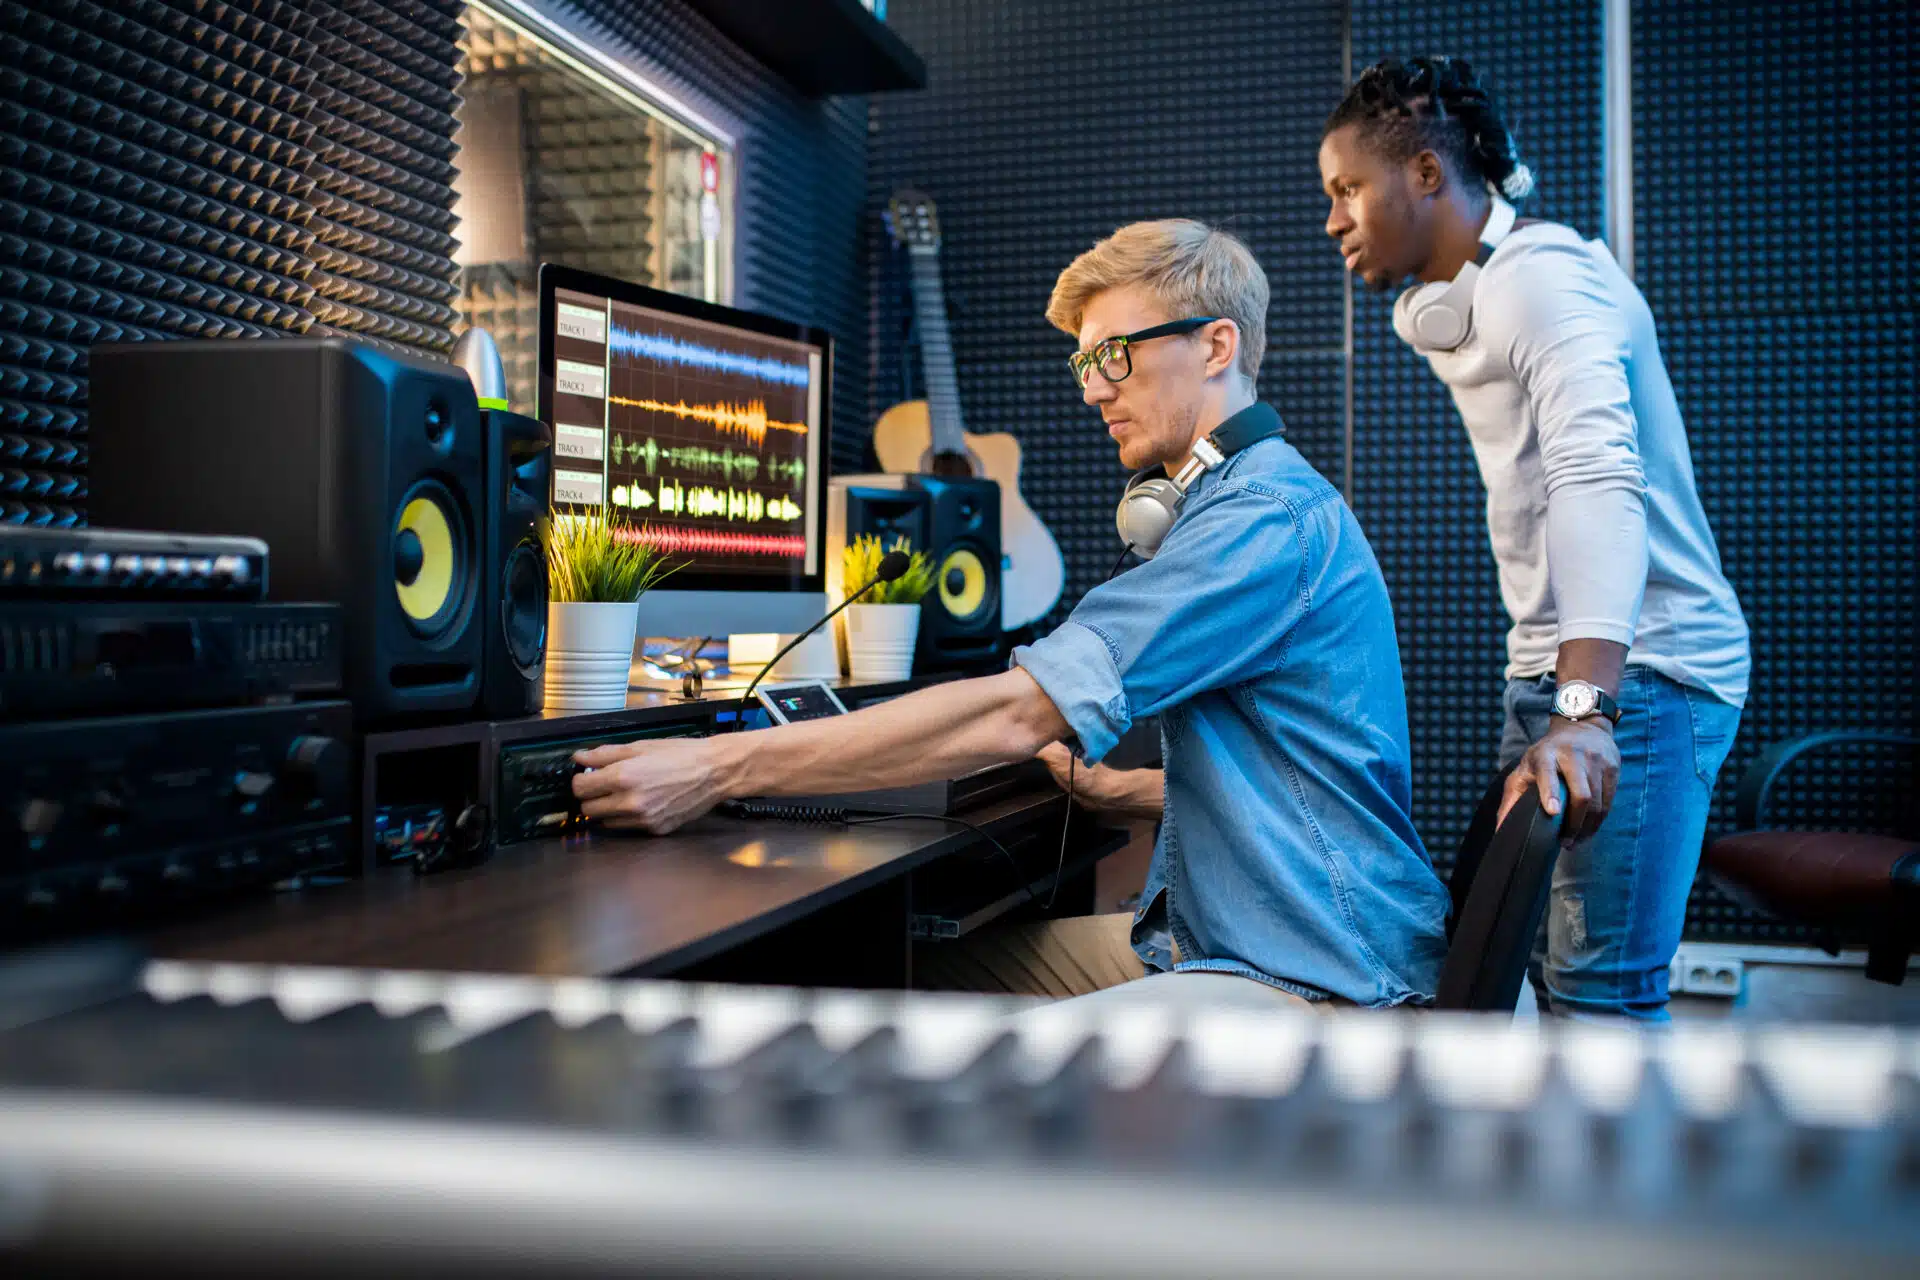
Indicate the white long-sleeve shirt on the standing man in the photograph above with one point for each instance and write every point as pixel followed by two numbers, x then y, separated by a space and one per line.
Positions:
pixel 1591 502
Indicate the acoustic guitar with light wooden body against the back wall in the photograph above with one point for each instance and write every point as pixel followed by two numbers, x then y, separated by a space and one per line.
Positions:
pixel 928 439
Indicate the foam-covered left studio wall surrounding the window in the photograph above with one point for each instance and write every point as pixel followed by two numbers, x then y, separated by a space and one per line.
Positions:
pixel 258 168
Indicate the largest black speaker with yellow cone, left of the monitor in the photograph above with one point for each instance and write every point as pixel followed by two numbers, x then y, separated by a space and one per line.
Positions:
pixel 362 471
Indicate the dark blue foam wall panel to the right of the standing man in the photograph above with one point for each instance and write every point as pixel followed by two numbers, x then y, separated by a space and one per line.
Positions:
pixel 1775 216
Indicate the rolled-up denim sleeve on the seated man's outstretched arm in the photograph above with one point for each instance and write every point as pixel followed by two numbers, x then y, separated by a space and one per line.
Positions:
pixel 1211 611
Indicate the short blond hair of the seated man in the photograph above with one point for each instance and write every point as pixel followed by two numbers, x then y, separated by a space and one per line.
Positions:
pixel 1191 268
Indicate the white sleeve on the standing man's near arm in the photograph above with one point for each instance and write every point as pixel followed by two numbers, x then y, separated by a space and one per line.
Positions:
pixel 1568 344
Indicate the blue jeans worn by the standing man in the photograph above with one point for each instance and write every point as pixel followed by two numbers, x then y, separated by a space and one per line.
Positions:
pixel 1620 899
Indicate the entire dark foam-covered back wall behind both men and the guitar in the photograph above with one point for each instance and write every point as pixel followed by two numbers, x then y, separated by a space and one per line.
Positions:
pixel 1775 222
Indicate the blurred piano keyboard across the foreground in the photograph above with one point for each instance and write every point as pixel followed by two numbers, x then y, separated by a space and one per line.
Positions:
pixel 779 1131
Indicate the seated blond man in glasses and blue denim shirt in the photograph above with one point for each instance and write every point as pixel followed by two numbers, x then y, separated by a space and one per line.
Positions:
pixel 1257 630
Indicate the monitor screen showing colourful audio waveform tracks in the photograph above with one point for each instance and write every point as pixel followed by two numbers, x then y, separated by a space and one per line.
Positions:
pixel 708 437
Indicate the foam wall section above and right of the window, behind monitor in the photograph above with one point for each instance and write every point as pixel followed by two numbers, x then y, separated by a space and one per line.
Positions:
pixel 800 187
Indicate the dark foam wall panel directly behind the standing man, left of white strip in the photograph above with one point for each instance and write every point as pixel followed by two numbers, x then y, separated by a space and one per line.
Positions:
pixel 1416 485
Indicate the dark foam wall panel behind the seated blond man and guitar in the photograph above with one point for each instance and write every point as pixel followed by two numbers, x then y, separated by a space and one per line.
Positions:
pixel 1044 128
